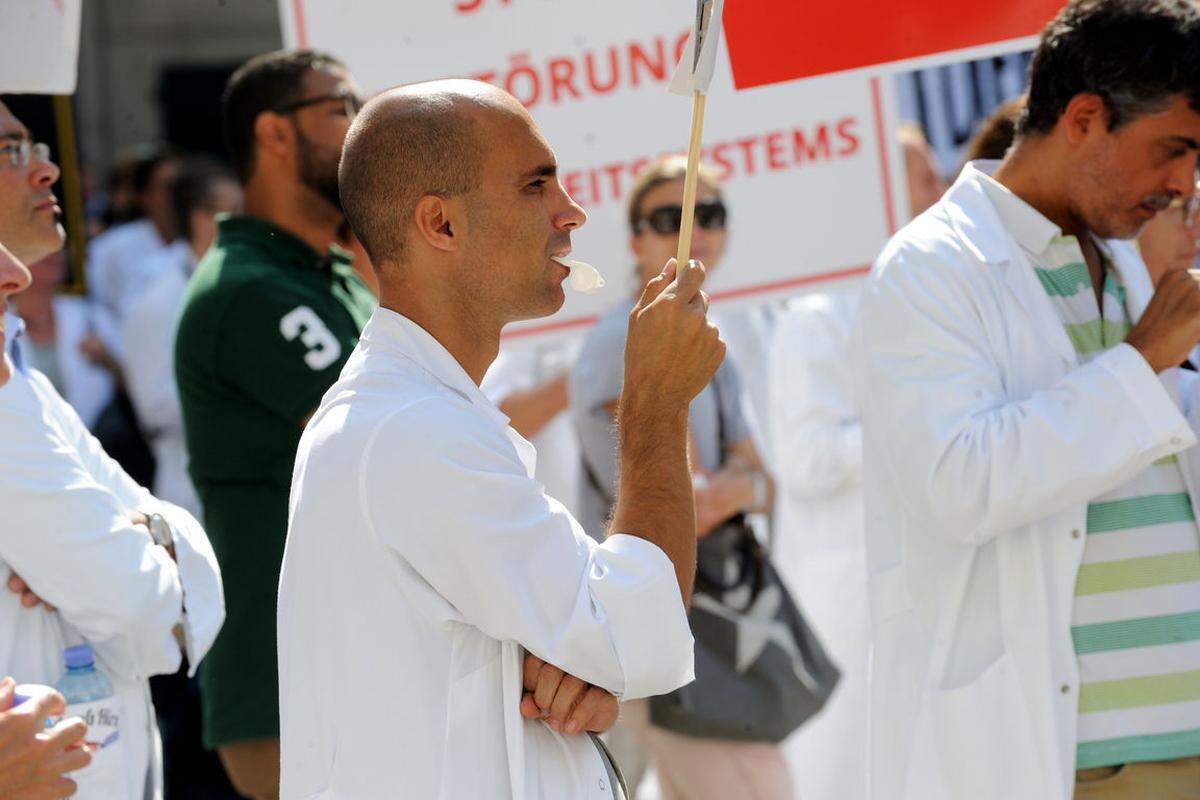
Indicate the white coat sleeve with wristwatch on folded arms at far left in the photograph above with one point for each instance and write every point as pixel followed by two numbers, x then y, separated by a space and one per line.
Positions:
pixel 106 576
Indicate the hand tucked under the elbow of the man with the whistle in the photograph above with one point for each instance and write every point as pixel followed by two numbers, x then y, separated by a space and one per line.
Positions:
pixel 567 703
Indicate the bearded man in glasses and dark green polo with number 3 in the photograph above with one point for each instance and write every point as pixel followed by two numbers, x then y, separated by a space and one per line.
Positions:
pixel 272 314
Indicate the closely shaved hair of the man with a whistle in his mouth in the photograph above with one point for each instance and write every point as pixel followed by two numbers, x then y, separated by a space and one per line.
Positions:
pixel 409 143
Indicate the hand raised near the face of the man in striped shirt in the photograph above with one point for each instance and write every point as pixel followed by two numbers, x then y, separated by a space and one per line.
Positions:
pixel 1171 327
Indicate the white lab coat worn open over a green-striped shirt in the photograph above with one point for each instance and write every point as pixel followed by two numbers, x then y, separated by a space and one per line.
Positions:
pixel 985 440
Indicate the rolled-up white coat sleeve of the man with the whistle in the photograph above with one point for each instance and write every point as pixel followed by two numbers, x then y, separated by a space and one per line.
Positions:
pixel 451 496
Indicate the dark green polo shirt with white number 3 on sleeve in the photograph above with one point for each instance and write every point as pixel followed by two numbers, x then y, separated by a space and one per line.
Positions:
pixel 266 328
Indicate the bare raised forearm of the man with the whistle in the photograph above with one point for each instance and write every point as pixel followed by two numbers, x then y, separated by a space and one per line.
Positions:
pixel 655 491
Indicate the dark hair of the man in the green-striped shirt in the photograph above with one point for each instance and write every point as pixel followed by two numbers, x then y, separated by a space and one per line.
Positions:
pixel 1136 55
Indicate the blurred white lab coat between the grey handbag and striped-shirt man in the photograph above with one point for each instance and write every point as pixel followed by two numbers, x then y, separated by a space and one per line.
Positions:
pixel 819 528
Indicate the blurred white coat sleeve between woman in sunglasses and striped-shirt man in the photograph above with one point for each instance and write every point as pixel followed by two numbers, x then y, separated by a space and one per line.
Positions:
pixel 819 437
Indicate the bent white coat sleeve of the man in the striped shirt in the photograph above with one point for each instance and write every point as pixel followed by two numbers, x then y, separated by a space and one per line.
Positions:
pixel 965 454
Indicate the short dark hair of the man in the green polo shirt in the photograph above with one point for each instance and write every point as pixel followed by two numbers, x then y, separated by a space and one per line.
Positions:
pixel 263 83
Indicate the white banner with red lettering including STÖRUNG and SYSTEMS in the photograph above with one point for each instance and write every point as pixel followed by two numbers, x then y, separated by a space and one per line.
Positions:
pixel 813 175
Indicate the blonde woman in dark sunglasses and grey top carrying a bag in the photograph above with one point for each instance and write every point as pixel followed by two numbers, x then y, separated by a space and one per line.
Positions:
pixel 730 476
